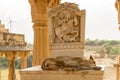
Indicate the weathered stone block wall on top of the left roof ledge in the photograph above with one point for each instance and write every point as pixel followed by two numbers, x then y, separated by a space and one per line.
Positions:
pixel 10 39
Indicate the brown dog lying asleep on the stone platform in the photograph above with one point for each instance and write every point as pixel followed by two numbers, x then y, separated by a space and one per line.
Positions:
pixel 69 63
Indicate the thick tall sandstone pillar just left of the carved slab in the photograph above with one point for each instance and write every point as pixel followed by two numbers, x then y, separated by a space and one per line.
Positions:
pixel 39 18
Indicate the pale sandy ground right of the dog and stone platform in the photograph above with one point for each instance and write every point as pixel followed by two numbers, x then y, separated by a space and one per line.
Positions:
pixel 109 70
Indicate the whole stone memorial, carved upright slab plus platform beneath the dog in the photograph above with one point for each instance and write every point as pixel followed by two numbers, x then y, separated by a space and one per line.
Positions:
pixel 66 26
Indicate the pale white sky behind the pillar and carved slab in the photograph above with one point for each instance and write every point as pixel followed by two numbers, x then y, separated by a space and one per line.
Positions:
pixel 101 18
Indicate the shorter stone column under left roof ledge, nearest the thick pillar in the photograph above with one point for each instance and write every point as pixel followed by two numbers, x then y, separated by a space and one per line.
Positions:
pixel 23 56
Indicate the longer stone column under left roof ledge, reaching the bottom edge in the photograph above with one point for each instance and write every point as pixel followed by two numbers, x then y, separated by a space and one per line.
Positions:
pixel 10 57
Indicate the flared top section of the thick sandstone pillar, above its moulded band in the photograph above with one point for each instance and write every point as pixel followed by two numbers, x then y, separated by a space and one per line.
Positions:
pixel 38 10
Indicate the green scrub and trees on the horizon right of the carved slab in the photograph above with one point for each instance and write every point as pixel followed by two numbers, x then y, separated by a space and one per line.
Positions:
pixel 111 46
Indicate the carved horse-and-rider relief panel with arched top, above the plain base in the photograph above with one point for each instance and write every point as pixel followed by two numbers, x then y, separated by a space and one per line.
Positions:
pixel 65 23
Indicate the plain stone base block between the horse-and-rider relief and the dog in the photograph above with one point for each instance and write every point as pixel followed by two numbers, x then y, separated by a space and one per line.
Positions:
pixel 67 49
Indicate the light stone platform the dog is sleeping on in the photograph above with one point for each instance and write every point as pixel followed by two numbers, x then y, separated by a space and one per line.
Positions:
pixel 35 73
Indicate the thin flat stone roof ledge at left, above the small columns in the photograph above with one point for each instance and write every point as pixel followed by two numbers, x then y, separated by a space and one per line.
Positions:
pixel 15 48
